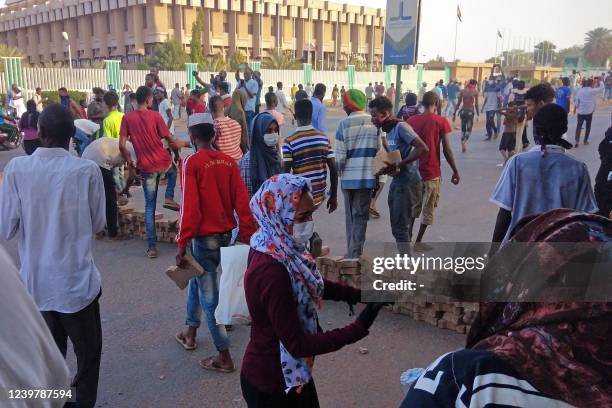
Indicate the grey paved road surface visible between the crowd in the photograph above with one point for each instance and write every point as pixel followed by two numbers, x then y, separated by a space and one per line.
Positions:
pixel 141 309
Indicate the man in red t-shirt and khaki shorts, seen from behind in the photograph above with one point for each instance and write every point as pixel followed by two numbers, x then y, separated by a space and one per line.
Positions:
pixel 433 129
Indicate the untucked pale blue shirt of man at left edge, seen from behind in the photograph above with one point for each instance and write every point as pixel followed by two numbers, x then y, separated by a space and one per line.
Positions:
pixel 54 202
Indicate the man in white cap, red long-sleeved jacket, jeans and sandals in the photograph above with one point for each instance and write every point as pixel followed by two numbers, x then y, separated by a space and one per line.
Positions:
pixel 212 191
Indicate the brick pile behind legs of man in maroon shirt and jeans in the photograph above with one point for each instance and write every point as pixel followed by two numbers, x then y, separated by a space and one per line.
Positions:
pixel 132 225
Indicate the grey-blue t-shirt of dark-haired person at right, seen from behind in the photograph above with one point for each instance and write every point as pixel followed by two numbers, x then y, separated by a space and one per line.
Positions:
pixel 532 183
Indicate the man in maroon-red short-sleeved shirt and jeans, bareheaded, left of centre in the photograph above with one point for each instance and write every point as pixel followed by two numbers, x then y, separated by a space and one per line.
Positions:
pixel 145 128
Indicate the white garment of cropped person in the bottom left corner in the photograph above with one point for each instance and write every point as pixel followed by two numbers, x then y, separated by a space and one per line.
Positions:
pixel 30 358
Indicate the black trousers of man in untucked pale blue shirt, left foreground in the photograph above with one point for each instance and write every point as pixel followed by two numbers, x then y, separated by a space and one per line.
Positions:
pixel 85 332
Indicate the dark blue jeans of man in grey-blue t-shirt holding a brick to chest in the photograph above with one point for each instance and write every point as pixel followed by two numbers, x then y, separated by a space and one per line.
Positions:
pixel 400 210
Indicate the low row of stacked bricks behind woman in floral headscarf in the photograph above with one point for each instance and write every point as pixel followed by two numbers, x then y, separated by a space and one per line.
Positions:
pixel 437 309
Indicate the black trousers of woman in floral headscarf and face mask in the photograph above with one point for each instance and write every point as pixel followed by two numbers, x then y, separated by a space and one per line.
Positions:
pixel 254 398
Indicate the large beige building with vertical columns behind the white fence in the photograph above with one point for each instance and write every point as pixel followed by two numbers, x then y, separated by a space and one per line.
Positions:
pixel 325 33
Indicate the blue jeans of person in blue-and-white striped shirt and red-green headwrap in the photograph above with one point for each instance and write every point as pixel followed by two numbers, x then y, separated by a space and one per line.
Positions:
pixel 356 208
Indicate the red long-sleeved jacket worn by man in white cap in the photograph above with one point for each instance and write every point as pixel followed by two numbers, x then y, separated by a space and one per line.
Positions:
pixel 212 190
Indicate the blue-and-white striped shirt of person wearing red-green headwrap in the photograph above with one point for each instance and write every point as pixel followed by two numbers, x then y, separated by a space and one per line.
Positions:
pixel 356 146
